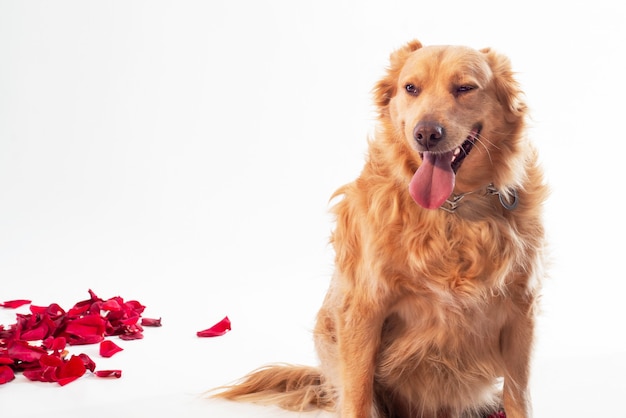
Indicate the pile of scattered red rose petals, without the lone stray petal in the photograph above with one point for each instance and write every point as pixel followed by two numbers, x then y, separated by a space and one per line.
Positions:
pixel 36 344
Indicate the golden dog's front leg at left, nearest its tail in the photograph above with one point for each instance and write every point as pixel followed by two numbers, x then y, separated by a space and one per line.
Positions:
pixel 359 332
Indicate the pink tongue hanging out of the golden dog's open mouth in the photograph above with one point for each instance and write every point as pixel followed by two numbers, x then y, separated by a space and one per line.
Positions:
pixel 433 182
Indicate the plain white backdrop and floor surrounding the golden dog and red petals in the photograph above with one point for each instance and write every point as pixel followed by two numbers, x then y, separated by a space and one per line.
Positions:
pixel 182 153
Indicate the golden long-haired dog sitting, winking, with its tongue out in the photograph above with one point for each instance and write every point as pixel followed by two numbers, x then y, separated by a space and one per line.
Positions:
pixel 439 254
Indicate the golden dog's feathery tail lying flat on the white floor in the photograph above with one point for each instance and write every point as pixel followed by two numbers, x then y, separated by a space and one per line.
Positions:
pixel 296 388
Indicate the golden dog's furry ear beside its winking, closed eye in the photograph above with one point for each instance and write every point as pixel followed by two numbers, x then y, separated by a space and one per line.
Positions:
pixel 507 89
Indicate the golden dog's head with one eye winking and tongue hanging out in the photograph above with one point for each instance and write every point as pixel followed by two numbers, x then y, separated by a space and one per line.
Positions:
pixel 457 112
